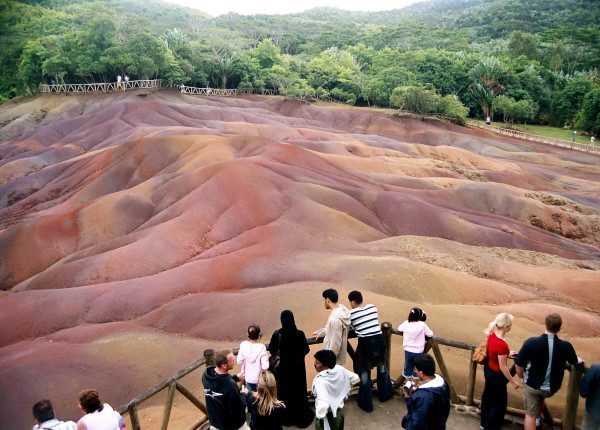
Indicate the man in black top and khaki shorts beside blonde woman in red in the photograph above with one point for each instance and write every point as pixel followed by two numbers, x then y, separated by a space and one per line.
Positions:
pixel 541 363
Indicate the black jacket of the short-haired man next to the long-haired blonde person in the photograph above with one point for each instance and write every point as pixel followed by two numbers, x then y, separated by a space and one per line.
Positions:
pixel 226 410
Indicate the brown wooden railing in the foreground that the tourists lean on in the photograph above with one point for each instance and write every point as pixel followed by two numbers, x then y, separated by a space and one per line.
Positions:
pixel 173 383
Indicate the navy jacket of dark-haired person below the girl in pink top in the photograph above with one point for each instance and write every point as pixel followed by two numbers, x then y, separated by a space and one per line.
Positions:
pixel 428 407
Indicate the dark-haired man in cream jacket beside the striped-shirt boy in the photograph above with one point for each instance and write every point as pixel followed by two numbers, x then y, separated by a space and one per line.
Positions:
pixel 337 327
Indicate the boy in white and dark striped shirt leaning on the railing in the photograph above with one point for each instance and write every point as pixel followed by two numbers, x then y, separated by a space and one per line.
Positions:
pixel 370 352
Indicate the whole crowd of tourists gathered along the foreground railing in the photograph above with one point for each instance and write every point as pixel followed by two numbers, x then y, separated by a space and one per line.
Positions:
pixel 273 379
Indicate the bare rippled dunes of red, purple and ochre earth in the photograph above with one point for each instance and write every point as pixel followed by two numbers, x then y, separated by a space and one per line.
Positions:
pixel 136 232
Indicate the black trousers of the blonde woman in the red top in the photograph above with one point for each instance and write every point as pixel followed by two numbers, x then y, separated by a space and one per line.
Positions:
pixel 493 399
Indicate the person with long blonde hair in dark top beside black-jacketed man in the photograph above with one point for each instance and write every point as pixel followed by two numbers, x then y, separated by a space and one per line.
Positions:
pixel 266 411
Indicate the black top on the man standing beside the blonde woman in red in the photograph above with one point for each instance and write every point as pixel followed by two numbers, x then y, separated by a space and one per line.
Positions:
pixel 533 357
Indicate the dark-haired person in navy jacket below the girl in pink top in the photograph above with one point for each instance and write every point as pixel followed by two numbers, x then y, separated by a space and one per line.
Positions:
pixel 429 403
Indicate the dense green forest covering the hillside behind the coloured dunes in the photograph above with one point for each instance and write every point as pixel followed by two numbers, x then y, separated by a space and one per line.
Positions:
pixel 526 61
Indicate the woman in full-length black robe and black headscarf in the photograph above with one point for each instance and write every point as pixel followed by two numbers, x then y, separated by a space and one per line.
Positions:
pixel 291 345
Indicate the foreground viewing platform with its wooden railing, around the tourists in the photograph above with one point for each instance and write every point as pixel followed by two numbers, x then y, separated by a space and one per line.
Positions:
pixel 155 410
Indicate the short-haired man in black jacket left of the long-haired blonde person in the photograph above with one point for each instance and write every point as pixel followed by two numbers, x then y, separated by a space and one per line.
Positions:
pixel 224 402
